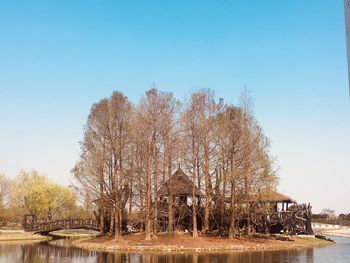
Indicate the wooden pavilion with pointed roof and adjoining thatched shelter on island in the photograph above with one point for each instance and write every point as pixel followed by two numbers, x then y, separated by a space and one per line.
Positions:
pixel 264 212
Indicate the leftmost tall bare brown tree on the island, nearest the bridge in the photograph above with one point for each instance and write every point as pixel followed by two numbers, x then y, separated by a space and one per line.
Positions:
pixel 101 168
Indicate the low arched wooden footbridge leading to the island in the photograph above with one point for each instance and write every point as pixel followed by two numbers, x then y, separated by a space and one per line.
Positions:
pixel 45 227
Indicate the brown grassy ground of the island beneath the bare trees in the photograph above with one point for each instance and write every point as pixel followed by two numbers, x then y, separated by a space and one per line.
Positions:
pixel 184 242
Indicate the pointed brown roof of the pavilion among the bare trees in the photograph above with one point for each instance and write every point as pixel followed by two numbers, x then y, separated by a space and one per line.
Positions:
pixel 180 184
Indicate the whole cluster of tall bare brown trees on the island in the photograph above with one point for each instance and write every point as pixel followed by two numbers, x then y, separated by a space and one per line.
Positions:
pixel 129 151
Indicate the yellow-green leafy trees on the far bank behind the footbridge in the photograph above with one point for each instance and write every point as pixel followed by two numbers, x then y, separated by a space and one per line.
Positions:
pixel 33 193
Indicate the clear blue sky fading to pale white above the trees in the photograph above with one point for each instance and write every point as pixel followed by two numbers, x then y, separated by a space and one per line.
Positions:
pixel 59 57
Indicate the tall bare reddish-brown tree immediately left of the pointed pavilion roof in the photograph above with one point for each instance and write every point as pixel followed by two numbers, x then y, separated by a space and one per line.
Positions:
pixel 156 119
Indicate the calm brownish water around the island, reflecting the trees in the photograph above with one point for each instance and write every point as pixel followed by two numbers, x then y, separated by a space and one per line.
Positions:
pixel 62 251
